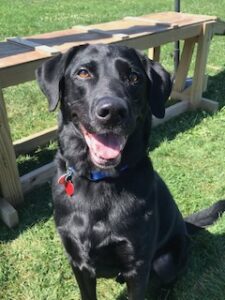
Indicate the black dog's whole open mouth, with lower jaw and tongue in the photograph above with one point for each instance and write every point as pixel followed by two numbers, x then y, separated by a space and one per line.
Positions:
pixel 105 149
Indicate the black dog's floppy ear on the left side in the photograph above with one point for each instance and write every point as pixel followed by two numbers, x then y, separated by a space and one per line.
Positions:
pixel 50 74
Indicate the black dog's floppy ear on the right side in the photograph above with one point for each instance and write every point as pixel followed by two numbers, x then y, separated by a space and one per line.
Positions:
pixel 160 85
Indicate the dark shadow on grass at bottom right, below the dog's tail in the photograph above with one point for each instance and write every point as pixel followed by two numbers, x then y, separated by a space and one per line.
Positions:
pixel 206 257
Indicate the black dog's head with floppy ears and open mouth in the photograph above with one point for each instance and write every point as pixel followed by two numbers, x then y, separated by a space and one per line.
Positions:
pixel 107 92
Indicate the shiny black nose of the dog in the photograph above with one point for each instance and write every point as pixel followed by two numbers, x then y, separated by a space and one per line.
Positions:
pixel 111 109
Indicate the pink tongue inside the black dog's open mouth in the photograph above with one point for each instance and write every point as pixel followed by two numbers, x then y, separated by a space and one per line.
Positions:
pixel 107 146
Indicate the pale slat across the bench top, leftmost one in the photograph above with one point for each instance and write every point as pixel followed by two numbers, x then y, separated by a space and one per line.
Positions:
pixel 33 45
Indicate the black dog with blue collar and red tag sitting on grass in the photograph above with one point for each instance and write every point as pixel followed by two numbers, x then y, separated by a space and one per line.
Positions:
pixel 115 215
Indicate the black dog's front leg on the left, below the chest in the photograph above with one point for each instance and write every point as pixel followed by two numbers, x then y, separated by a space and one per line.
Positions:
pixel 87 284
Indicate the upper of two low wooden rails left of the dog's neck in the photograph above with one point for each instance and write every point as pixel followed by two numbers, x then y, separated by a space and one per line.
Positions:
pixel 33 141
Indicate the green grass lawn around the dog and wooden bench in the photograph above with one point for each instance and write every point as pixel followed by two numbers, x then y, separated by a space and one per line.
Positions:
pixel 188 152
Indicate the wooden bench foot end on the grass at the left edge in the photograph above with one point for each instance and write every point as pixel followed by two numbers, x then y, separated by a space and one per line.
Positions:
pixel 8 214
